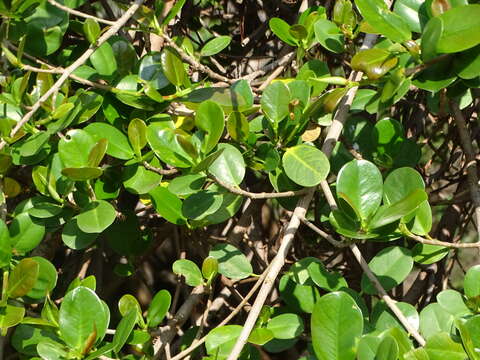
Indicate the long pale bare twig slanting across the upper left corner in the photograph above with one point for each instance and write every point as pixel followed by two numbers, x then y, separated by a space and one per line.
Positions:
pixel 69 70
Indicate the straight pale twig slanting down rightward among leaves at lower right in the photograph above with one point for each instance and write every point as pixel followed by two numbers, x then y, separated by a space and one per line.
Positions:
pixel 383 294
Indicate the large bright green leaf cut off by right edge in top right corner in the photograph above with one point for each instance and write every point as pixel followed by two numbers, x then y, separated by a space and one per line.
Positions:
pixel 459 29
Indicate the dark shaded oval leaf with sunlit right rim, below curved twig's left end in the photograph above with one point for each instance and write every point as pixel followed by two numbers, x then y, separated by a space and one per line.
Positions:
pixel 201 204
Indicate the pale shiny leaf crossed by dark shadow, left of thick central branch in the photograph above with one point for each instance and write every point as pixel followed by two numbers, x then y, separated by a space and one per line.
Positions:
pixel 231 262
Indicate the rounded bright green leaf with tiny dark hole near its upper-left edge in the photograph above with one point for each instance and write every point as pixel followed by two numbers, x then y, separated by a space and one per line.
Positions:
pixel 75 147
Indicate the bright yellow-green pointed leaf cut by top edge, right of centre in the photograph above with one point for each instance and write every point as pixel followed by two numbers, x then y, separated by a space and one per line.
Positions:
pixel 383 21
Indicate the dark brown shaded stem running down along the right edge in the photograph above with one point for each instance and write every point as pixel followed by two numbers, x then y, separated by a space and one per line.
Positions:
pixel 472 170
